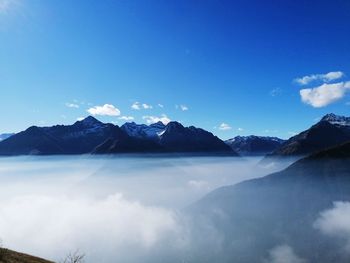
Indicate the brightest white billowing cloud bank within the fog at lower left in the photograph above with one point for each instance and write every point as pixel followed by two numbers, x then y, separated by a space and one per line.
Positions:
pixel 84 223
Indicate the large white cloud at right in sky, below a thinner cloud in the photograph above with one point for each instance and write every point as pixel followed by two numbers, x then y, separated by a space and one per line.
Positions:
pixel 325 94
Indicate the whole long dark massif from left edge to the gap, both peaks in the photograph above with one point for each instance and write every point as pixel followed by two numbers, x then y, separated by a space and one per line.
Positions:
pixel 93 136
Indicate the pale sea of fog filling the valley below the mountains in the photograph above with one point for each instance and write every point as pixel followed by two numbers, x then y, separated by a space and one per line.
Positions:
pixel 112 209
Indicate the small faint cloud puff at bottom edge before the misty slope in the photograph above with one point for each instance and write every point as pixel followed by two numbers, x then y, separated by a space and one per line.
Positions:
pixel 284 254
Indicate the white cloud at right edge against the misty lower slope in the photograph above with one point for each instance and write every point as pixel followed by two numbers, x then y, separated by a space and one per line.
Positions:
pixel 334 222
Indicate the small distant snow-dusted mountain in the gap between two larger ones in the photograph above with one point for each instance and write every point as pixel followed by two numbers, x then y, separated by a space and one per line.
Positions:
pixel 254 145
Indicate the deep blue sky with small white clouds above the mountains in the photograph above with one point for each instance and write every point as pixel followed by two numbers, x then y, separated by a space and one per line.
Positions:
pixel 207 63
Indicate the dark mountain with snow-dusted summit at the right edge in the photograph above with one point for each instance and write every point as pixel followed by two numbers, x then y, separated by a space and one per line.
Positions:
pixel 330 131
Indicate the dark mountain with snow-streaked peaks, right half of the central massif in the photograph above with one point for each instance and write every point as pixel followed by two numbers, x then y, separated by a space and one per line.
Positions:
pixel 173 137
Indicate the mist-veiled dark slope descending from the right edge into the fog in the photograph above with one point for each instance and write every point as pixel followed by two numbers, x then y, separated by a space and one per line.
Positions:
pixel 253 217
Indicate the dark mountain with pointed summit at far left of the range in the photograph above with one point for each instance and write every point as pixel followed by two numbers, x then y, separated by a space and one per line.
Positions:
pixel 79 138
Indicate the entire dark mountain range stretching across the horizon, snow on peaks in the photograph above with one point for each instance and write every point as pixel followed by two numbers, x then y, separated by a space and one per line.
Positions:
pixel 93 136
